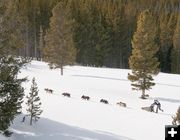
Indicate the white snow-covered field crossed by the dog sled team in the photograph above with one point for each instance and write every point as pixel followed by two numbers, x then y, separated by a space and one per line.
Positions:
pixel 76 119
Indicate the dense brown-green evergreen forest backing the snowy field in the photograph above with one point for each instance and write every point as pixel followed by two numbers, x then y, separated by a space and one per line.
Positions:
pixel 99 33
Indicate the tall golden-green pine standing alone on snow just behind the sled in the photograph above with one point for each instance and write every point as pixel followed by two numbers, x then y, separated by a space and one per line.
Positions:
pixel 143 62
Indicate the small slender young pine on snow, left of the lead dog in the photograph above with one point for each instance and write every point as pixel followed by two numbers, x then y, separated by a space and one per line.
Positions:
pixel 33 103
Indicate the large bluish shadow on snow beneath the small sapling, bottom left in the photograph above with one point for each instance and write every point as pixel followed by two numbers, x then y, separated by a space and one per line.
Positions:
pixel 46 129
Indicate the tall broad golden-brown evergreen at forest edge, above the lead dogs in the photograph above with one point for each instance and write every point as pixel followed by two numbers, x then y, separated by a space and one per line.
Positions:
pixel 59 50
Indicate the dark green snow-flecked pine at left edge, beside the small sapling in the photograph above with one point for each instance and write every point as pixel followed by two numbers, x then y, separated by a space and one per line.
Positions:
pixel 11 92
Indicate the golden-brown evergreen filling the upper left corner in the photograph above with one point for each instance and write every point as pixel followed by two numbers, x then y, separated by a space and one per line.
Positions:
pixel 11 26
